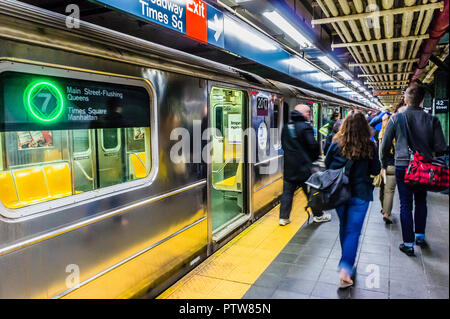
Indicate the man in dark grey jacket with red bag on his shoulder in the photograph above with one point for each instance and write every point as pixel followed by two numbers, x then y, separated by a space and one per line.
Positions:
pixel 427 138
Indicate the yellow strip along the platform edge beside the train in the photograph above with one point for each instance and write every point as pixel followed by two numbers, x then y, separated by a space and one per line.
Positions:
pixel 233 269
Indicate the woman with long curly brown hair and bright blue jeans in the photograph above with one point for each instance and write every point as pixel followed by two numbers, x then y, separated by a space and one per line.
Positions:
pixel 353 149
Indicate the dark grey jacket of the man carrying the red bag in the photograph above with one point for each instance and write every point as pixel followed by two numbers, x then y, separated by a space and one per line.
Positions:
pixel 426 136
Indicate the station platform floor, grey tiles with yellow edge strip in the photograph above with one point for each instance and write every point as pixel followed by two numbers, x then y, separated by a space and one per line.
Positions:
pixel 299 261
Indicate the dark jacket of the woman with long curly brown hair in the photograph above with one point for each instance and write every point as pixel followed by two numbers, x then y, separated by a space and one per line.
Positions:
pixel 360 180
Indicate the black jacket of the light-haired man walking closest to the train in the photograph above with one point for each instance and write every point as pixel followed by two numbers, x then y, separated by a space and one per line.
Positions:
pixel 296 166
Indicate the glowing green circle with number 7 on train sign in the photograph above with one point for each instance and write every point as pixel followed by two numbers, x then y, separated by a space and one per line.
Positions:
pixel 44 101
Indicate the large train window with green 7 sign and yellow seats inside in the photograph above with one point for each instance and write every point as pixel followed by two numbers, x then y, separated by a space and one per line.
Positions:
pixel 63 136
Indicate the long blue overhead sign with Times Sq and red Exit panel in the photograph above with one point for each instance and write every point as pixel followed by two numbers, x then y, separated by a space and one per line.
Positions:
pixel 199 21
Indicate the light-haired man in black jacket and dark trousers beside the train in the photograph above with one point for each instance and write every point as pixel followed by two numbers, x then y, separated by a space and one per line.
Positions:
pixel 300 151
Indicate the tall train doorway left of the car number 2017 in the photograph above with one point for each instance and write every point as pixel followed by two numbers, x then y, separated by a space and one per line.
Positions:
pixel 227 169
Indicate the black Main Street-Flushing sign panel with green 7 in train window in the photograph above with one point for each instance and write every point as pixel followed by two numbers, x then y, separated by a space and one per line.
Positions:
pixel 33 102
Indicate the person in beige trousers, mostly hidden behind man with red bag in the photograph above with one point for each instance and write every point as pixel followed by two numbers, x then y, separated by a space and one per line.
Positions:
pixel 388 184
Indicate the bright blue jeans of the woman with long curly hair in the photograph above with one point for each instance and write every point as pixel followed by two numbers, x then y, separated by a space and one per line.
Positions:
pixel 351 219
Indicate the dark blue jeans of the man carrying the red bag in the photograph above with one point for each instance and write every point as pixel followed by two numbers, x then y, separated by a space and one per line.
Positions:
pixel 406 194
